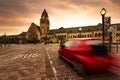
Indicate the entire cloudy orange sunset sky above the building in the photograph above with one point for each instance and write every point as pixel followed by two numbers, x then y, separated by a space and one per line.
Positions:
pixel 16 16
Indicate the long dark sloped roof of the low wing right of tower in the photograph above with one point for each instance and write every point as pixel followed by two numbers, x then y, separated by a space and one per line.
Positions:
pixel 83 29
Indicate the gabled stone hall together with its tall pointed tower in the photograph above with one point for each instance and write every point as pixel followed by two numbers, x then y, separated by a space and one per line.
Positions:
pixel 36 32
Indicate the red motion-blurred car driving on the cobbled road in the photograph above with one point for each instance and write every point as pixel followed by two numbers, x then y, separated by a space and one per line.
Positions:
pixel 86 54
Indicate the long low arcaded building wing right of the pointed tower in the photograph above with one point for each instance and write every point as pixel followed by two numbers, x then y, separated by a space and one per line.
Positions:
pixel 84 32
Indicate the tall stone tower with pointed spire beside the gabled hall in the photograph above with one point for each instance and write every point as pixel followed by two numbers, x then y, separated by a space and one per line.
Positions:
pixel 44 23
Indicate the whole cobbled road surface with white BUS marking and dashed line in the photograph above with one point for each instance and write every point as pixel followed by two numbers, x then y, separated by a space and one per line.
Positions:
pixel 41 62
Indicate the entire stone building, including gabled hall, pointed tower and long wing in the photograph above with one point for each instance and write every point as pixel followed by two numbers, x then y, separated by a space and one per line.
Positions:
pixel 63 34
